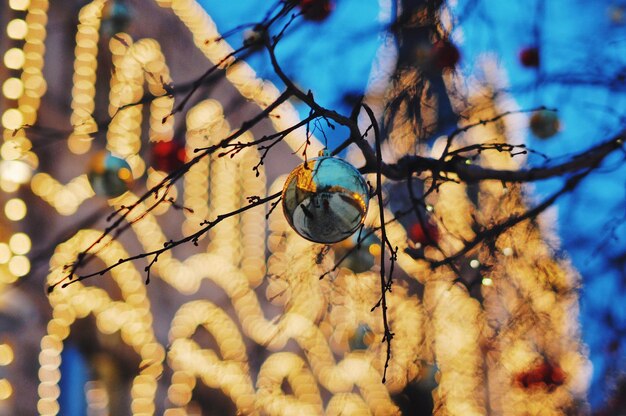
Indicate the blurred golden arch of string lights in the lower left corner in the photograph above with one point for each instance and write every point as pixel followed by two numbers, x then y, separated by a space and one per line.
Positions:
pixel 130 316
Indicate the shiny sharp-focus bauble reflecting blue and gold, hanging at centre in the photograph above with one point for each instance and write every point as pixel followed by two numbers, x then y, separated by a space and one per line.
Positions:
pixel 325 199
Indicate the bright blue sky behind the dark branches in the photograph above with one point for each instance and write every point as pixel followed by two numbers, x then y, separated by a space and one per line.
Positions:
pixel 581 48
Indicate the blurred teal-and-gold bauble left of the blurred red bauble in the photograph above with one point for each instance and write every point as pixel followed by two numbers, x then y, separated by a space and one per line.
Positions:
pixel 108 175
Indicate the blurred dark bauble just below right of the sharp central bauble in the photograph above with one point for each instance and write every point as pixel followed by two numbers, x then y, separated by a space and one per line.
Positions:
pixel 360 256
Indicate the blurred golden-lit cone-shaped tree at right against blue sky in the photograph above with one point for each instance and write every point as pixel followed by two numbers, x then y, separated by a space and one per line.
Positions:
pixel 501 338
